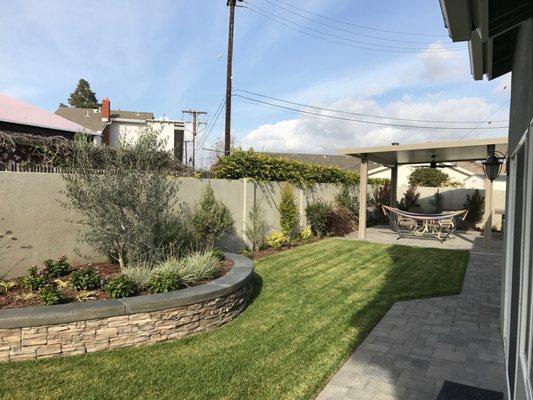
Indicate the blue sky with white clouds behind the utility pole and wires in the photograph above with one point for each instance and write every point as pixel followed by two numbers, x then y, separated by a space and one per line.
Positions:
pixel 164 56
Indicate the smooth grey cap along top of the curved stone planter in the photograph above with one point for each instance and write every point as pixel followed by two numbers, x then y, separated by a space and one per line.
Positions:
pixel 238 276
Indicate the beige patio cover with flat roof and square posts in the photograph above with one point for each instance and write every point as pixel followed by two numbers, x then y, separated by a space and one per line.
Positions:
pixel 424 153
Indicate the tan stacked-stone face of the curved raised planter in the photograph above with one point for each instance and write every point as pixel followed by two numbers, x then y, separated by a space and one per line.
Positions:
pixel 130 329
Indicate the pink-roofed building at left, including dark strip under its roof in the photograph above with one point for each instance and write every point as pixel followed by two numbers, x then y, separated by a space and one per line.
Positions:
pixel 20 117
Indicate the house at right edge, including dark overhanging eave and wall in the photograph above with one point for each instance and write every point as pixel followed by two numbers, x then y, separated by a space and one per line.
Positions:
pixel 500 40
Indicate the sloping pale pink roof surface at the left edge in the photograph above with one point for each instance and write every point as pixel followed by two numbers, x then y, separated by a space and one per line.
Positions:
pixel 19 112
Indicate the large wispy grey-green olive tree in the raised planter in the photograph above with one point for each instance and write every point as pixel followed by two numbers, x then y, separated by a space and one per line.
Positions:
pixel 125 197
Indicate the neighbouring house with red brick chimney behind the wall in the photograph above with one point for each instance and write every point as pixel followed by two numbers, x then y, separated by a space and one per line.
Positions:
pixel 116 125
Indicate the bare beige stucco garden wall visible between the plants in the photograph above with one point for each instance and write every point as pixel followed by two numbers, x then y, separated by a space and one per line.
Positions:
pixel 29 208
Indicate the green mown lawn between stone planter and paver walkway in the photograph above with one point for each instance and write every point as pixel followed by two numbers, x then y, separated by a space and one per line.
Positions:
pixel 314 304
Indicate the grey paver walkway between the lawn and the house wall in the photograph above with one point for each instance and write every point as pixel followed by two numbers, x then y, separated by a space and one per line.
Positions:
pixel 421 343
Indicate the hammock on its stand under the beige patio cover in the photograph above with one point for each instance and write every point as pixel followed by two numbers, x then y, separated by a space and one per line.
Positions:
pixel 437 226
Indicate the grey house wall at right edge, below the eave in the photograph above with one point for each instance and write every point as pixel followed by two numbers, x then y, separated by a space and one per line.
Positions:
pixel 517 282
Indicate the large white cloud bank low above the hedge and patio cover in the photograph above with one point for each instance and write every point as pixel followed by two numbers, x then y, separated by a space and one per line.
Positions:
pixel 323 135
